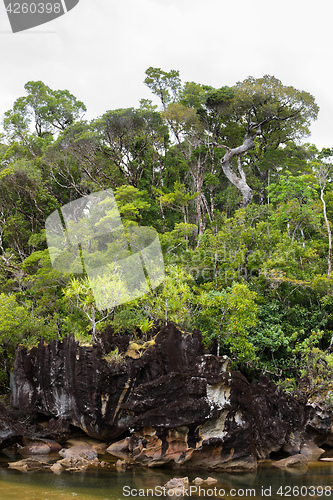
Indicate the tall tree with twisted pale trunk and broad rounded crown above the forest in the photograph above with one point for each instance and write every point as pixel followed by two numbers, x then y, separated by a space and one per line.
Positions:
pixel 266 112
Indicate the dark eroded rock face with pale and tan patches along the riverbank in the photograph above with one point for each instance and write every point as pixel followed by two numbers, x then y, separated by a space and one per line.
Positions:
pixel 179 404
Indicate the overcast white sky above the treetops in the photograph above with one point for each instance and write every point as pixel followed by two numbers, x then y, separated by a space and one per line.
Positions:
pixel 100 50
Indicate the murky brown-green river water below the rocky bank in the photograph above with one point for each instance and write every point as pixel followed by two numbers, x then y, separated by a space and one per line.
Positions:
pixel 109 484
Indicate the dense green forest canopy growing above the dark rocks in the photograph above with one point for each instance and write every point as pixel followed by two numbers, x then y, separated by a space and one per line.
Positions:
pixel 241 202
